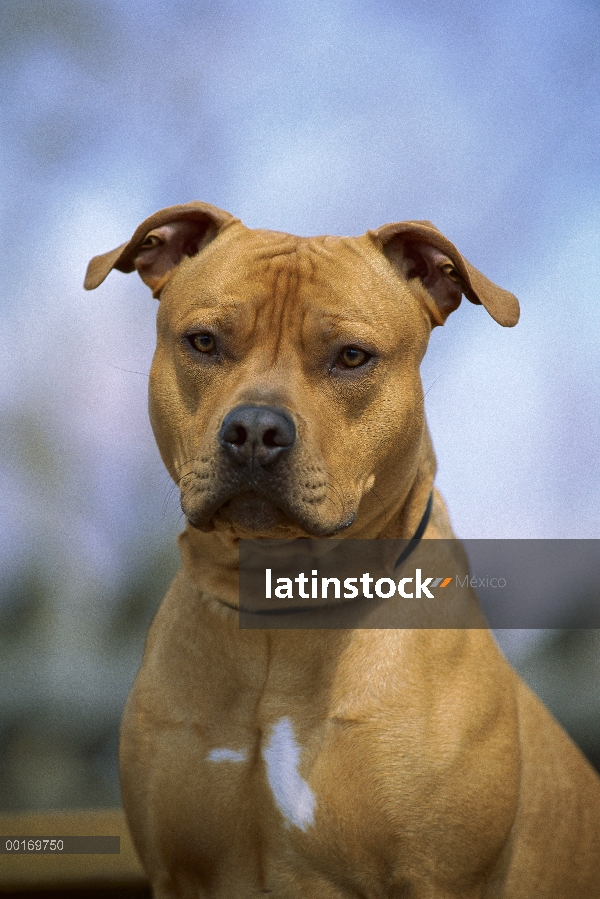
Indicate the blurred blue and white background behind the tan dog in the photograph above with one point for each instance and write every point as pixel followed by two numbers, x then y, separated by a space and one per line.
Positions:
pixel 332 116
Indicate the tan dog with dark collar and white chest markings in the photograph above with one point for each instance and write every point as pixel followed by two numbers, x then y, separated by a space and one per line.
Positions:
pixel 286 402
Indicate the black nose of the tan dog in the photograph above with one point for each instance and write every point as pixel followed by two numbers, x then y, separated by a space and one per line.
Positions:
pixel 257 434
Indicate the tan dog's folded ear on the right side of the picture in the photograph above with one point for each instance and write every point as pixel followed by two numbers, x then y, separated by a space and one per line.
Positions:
pixel 419 250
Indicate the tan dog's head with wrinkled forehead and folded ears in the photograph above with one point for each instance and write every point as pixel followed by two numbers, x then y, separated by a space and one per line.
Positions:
pixel 285 393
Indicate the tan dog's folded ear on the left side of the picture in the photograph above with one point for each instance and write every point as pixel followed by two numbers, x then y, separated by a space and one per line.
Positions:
pixel 160 243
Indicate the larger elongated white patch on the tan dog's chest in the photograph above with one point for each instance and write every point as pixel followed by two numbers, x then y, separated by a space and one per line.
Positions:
pixel 293 796
